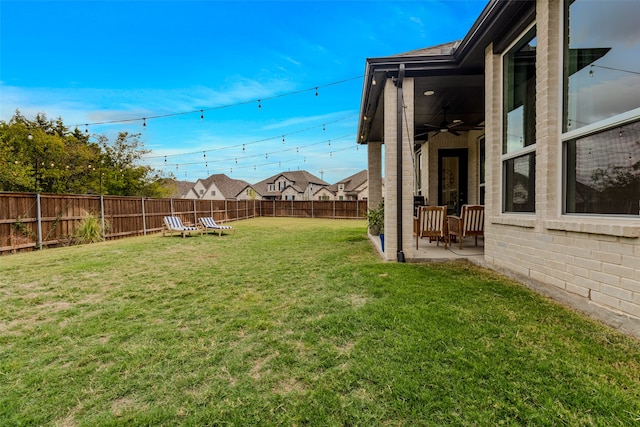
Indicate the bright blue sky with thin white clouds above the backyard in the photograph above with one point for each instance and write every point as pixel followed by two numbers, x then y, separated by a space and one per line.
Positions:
pixel 91 62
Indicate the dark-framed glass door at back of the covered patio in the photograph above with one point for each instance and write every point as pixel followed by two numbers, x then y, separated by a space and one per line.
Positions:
pixel 452 179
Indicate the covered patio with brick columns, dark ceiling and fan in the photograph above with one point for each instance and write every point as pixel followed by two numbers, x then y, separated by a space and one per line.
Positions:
pixel 422 117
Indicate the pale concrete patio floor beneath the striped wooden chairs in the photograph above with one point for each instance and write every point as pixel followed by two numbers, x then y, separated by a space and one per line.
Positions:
pixel 428 252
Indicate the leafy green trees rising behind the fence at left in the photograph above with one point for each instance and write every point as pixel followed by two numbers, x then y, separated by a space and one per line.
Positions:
pixel 43 155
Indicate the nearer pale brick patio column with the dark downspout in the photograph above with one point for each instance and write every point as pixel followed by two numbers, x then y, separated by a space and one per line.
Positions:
pixel 398 121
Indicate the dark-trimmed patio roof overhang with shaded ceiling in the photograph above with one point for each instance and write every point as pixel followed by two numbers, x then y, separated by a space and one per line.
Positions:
pixel 452 73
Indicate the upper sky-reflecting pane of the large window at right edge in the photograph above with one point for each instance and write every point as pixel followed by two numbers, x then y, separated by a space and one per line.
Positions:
pixel 601 60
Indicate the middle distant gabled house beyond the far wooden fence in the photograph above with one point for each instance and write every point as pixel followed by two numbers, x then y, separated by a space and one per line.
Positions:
pixel 297 185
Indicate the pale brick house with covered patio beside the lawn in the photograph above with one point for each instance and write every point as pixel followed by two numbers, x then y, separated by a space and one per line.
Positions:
pixel 535 114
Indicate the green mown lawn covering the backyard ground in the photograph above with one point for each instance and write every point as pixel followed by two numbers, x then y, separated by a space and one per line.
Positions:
pixel 294 322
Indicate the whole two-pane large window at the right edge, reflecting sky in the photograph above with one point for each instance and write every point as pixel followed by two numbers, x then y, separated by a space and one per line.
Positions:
pixel 601 127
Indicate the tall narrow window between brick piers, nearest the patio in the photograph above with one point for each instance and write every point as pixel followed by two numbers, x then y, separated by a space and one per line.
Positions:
pixel 519 132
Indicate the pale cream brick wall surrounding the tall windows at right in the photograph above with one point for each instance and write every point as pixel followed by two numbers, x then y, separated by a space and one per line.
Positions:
pixel 589 262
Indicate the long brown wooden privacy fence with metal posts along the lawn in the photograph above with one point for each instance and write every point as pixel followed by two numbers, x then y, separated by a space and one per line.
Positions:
pixel 32 221
